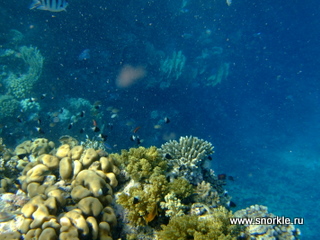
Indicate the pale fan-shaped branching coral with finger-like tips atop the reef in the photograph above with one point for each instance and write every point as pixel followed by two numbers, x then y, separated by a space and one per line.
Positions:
pixel 186 158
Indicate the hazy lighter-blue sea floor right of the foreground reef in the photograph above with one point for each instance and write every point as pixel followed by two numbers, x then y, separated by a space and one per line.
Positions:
pixel 286 185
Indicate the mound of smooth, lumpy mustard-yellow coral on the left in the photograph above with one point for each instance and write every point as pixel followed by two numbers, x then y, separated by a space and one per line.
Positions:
pixel 85 189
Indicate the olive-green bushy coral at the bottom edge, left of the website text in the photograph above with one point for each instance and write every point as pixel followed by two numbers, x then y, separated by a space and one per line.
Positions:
pixel 214 226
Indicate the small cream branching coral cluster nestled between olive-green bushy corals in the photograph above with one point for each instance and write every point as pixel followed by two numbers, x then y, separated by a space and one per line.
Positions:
pixel 173 205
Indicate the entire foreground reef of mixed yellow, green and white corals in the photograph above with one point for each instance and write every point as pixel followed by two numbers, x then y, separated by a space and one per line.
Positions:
pixel 75 191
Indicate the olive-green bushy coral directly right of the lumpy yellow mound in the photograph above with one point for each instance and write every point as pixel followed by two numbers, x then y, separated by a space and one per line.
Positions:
pixel 149 186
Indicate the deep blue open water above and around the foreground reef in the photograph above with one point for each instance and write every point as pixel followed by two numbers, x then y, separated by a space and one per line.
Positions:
pixel 263 119
